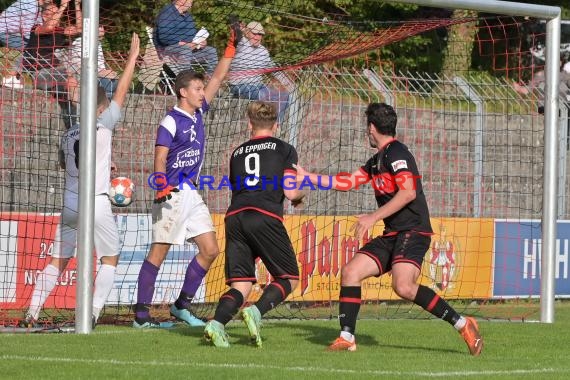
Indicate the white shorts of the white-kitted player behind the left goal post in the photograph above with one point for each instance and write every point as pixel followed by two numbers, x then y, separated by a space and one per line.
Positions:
pixel 105 234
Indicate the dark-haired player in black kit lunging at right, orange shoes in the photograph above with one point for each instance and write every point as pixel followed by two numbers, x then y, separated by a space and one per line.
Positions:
pixel 401 249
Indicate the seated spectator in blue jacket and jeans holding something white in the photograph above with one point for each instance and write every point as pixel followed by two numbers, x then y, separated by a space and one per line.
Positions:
pixel 175 33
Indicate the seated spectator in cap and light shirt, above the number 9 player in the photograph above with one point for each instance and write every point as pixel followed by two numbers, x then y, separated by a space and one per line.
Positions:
pixel 248 67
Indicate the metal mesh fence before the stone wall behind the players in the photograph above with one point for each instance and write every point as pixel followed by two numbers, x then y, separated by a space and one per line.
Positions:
pixel 478 143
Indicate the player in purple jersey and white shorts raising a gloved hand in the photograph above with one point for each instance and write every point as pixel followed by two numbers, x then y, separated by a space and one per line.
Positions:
pixel 179 214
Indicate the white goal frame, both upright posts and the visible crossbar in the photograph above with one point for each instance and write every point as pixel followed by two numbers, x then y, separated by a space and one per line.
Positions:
pixel 550 171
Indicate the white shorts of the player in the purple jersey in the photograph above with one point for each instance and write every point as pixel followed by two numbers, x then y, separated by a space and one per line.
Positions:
pixel 180 218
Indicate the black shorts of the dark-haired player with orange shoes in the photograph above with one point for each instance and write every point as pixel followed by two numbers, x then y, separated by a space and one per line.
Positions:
pixel 403 247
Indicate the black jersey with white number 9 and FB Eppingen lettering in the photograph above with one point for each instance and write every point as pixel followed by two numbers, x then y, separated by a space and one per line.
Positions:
pixel 259 170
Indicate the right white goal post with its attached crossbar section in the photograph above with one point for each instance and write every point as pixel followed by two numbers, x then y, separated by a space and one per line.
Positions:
pixel 551 67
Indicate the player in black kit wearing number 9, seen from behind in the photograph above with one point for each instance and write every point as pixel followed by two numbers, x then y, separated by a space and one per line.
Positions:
pixel 262 175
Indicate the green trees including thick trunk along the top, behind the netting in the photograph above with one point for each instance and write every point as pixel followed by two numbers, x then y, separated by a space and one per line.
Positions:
pixel 301 27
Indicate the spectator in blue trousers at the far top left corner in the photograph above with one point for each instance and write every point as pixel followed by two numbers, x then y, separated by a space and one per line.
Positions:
pixel 16 22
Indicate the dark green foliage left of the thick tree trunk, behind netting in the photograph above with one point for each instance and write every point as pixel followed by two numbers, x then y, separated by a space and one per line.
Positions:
pixel 292 26
